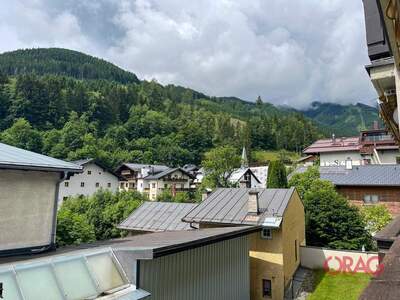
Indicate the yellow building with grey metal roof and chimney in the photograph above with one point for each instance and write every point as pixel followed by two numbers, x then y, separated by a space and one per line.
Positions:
pixel 274 253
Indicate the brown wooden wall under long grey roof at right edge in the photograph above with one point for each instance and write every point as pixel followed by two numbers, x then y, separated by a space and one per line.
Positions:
pixel 388 196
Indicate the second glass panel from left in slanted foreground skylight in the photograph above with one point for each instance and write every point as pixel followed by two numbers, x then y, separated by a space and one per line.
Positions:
pixel 37 282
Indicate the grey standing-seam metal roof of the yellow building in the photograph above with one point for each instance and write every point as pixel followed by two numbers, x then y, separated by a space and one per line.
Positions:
pixel 229 206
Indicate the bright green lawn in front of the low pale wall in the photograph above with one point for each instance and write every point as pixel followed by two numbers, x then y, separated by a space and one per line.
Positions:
pixel 343 286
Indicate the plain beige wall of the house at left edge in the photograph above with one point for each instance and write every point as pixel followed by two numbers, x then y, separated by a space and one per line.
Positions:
pixel 27 202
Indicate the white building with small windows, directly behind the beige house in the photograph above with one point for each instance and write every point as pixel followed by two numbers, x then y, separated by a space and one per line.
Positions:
pixel 93 178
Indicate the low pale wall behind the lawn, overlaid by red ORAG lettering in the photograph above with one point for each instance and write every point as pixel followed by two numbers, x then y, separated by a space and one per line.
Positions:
pixel 315 258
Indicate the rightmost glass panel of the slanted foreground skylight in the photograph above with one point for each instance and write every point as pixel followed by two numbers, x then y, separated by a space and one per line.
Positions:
pixel 106 272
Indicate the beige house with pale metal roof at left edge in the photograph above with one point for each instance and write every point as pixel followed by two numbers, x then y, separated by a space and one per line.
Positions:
pixel 29 185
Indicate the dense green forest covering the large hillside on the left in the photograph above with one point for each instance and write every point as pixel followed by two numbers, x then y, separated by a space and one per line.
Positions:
pixel 70 105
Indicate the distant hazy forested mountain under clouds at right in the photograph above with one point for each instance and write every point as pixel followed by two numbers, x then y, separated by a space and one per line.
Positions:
pixel 343 120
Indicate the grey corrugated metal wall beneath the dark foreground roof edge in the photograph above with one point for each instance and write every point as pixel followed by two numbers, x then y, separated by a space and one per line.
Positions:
pixel 214 272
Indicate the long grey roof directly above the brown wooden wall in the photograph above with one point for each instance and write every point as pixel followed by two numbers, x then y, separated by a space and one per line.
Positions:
pixel 367 175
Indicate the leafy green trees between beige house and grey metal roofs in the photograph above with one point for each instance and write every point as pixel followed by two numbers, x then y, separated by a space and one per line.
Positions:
pixel 98 215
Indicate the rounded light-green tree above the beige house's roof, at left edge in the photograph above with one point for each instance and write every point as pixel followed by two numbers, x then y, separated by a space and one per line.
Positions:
pixel 22 135
